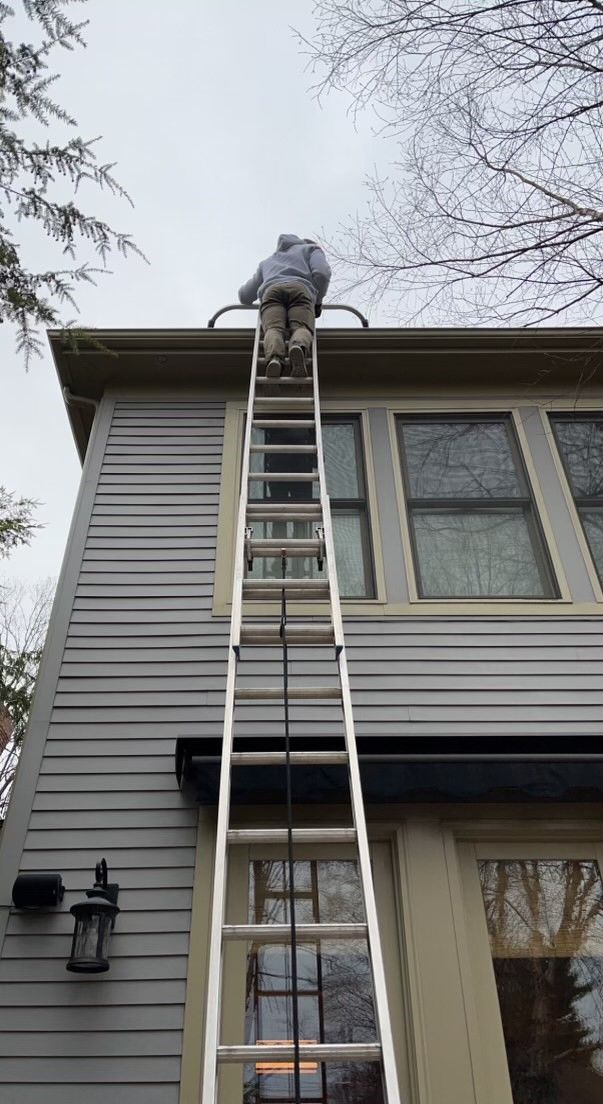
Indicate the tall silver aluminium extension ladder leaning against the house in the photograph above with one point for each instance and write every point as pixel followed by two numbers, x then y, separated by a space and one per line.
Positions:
pixel 215 1054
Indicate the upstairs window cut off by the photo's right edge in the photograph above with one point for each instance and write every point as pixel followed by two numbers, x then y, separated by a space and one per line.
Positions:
pixel 580 442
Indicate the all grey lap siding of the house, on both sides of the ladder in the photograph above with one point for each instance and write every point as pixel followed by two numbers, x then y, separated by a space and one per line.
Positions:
pixel 145 663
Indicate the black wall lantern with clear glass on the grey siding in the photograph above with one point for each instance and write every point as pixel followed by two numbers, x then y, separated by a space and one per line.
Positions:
pixel 94 920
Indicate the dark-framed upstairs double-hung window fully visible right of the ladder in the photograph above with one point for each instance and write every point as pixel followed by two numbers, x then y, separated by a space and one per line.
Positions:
pixel 474 529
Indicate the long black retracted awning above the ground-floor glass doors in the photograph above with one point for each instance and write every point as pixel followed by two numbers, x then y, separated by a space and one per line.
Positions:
pixel 397 770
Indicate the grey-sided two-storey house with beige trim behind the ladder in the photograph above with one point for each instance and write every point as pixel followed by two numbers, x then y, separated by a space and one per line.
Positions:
pixel 467 482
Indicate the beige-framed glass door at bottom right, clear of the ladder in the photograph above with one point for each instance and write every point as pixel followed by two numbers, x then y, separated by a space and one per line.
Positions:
pixel 532 943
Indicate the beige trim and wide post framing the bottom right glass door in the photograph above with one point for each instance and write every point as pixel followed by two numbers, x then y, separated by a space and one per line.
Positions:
pixel 454 1014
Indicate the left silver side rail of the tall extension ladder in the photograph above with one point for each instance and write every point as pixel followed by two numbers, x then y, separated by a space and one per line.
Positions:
pixel 220 872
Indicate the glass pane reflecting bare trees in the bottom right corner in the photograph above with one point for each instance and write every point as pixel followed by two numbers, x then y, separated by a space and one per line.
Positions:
pixel 546 928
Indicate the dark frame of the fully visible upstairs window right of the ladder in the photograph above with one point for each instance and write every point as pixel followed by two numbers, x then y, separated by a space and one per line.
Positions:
pixel 528 505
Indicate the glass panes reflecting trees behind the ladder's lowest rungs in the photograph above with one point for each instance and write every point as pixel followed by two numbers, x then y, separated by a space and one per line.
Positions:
pixel 334 984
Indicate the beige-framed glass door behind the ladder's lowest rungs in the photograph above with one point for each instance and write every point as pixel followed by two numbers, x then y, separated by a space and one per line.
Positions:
pixel 335 985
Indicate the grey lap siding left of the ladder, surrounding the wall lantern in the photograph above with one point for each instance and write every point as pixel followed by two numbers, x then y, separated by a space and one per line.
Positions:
pixel 108 783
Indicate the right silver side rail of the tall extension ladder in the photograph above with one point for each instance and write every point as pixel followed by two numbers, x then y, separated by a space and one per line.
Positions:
pixel 378 970
